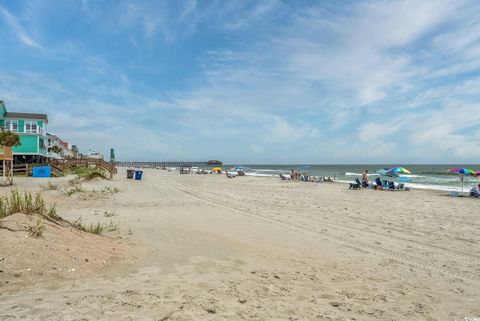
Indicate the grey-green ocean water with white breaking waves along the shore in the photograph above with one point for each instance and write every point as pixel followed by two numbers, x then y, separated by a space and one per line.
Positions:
pixel 423 176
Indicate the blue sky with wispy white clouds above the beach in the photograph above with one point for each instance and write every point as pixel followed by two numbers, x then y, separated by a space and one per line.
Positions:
pixel 250 81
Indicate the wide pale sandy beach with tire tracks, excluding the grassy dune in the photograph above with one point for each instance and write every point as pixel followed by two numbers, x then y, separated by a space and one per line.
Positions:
pixel 204 247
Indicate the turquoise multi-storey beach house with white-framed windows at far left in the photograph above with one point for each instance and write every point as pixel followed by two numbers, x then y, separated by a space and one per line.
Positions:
pixel 32 129
